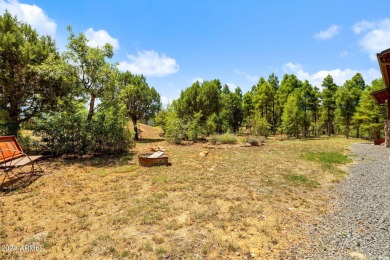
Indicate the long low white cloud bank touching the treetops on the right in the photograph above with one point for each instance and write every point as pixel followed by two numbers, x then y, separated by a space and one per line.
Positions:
pixel 339 75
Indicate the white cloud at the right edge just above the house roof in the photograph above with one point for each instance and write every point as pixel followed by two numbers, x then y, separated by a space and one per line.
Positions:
pixel 376 37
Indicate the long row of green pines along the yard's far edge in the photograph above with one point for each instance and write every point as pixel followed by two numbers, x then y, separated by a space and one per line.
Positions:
pixel 291 107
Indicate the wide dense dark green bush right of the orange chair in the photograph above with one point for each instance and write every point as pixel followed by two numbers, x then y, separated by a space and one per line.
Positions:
pixel 69 132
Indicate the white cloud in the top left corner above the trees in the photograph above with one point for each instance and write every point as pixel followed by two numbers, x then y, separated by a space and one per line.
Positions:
pixel 31 14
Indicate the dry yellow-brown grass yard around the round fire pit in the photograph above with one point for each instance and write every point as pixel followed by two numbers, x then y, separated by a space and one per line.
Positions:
pixel 236 203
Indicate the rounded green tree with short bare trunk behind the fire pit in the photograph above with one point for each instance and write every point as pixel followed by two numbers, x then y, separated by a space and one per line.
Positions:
pixel 141 101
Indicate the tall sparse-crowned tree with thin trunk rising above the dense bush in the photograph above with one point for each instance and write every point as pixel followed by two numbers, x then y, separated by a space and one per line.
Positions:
pixel 94 74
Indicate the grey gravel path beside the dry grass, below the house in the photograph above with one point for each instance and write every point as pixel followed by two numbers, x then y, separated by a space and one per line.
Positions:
pixel 359 227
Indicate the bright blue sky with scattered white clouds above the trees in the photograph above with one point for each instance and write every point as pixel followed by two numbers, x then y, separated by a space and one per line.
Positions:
pixel 175 43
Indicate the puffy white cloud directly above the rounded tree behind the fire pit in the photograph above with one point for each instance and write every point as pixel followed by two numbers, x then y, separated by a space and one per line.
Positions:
pixel 150 63
